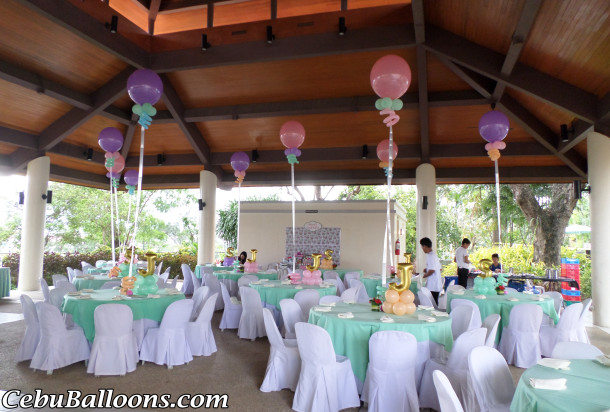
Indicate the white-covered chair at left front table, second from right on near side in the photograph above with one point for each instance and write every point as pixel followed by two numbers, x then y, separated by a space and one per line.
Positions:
pixel 167 344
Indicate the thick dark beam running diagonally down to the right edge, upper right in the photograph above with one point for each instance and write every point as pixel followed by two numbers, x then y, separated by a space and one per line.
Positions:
pixel 551 90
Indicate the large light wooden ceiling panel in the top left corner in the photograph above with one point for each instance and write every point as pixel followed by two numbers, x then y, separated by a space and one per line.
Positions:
pixel 40 46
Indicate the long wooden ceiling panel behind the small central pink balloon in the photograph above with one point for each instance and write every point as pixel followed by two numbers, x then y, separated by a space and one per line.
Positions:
pixel 325 131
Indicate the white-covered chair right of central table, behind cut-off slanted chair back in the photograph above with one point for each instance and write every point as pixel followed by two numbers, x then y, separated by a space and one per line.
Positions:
pixel 456 369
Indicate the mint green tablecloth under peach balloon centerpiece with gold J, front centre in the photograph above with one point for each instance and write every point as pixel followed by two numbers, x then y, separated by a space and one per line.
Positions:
pixel 351 336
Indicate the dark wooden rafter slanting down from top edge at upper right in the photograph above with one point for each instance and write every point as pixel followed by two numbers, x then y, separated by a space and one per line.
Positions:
pixel 524 26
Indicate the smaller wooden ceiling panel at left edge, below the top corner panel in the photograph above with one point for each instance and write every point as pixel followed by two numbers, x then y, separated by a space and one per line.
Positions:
pixel 25 110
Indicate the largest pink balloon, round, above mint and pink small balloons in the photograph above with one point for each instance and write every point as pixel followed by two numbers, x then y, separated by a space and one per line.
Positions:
pixel 390 76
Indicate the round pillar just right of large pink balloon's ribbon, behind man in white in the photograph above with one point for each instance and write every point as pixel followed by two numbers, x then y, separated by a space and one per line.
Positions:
pixel 425 226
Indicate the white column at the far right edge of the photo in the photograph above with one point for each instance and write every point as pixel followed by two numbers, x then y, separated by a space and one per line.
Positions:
pixel 598 153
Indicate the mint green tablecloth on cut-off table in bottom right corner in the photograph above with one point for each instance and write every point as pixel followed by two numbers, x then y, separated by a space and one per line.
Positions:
pixel 588 389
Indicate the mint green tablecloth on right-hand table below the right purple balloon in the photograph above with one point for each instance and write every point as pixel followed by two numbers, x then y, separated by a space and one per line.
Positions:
pixel 502 306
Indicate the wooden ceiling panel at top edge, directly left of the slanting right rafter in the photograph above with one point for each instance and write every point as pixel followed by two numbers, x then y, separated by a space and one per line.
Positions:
pixel 488 23
